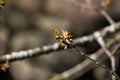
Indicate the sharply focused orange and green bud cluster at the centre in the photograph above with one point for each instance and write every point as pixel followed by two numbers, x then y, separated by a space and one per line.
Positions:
pixel 65 38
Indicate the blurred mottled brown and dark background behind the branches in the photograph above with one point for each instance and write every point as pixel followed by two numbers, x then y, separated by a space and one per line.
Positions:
pixel 27 24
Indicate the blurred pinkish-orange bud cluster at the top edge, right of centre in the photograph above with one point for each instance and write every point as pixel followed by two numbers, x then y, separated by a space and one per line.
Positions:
pixel 90 5
